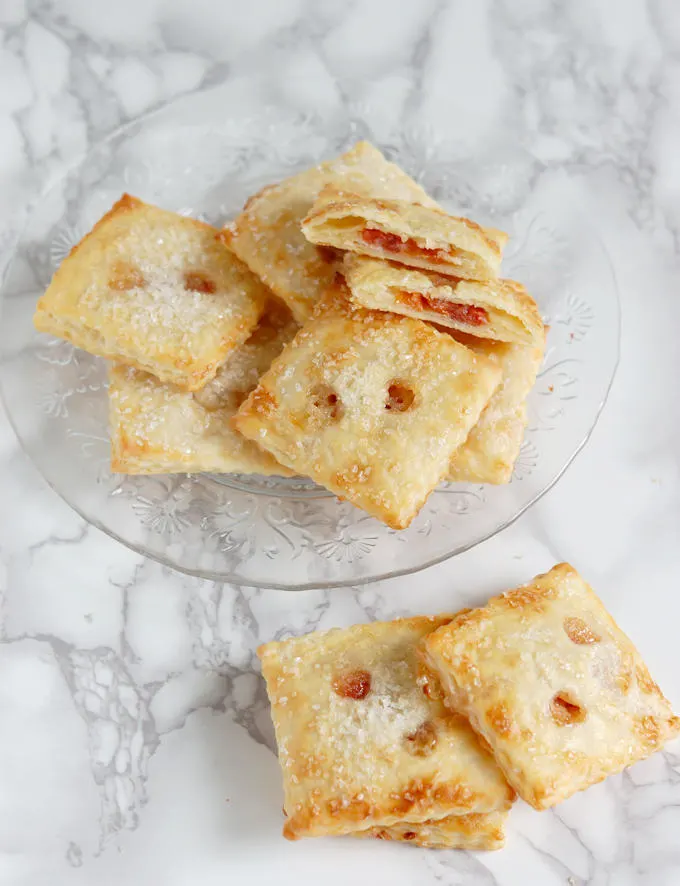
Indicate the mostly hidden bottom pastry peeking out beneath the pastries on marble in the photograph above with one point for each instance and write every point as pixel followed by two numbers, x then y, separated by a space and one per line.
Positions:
pixel 474 832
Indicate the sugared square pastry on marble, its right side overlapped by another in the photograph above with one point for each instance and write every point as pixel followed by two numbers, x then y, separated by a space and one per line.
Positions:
pixel 360 743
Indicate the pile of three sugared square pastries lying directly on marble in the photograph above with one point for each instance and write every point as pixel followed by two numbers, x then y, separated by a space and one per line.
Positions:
pixel 423 729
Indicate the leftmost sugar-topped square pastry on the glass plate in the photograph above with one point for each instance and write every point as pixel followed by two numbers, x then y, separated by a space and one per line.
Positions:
pixel 153 290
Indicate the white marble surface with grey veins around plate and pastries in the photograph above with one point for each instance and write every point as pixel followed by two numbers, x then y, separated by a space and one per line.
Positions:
pixel 135 739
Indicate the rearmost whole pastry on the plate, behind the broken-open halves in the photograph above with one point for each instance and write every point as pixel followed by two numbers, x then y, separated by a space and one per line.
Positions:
pixel 267 235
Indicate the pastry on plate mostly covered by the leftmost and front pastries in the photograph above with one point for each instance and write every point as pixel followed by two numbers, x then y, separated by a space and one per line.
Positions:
pixel 158 428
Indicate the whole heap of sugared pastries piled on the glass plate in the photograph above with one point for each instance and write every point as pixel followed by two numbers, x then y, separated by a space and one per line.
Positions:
pixel 412 364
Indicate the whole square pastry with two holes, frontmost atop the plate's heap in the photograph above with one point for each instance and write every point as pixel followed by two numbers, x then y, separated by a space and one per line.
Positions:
pixel 371 405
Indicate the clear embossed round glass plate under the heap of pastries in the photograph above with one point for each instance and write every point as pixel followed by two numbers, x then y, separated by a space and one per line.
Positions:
pixel 272 532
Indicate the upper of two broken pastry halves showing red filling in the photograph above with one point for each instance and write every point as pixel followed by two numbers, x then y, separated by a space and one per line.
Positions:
pixel 406 232
